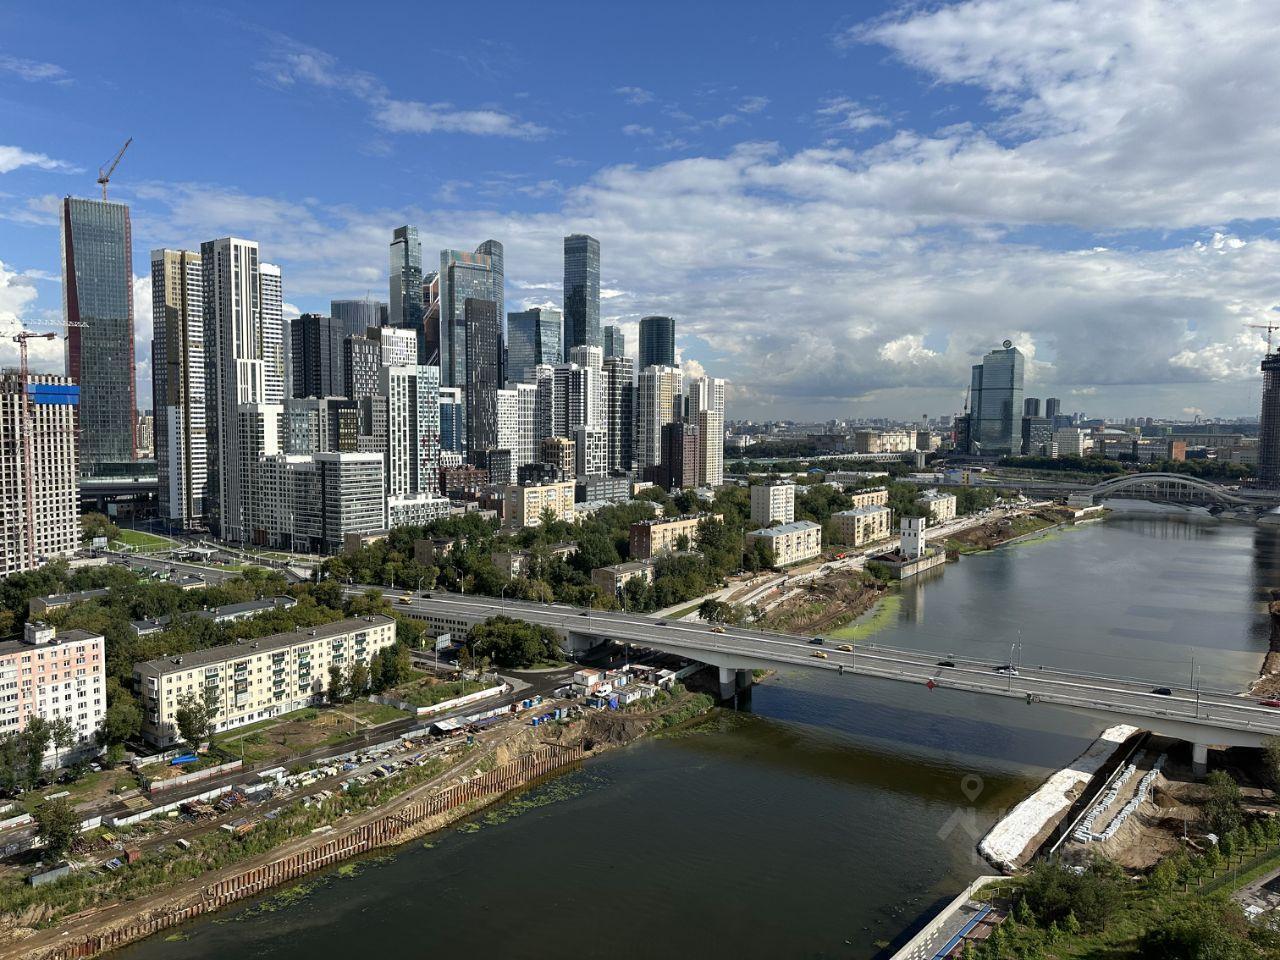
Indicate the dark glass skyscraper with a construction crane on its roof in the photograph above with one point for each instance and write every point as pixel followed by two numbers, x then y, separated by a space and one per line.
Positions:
pixel 98 307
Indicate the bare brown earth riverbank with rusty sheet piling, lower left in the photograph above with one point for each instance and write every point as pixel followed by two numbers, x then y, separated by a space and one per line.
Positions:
pixel 518 758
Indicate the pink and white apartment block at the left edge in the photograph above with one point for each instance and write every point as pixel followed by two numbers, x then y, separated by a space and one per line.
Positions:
pixel 54 675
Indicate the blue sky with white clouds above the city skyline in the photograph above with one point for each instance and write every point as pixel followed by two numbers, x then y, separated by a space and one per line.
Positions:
pixel 844 205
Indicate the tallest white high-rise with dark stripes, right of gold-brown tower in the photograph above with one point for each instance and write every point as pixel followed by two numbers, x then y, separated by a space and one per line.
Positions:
pixel 235 378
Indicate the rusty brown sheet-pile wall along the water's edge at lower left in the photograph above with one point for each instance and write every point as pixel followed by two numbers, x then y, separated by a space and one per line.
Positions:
pixel 395 828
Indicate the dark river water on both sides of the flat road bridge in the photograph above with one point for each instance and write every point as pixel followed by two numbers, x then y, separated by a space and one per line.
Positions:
pixel 825 820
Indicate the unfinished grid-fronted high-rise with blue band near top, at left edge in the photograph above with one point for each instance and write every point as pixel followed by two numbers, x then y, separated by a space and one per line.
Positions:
pixel 40 519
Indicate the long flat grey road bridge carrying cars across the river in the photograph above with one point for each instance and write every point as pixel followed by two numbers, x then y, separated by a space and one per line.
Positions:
pixel 1199 716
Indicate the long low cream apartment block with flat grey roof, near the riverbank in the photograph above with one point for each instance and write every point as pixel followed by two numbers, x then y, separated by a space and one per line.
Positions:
pixel 257 680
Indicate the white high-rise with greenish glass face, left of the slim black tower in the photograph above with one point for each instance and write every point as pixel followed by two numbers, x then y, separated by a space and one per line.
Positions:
pixel 414 428
